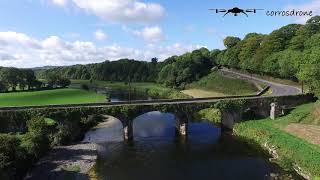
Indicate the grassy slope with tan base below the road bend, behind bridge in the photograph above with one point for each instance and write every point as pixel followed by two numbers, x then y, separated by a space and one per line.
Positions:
pixel 220 85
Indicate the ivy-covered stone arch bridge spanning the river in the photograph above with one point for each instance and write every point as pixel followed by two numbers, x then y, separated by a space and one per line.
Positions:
pixel 233 110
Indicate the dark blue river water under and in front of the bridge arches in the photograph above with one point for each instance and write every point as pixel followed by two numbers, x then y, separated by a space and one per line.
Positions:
pixel 158 154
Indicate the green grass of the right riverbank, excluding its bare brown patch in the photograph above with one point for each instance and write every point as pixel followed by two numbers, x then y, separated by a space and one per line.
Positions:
pixel 291 149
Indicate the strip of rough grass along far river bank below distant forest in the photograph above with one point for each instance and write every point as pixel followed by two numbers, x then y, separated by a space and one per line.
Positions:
pixel 153 89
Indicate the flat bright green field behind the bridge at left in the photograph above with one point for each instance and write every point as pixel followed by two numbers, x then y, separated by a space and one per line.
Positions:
pixel 57 96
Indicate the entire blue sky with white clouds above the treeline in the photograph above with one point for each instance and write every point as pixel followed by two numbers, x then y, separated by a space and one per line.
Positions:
pixel 65 32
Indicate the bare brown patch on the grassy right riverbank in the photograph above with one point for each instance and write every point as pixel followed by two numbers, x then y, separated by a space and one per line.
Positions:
pixel 311 133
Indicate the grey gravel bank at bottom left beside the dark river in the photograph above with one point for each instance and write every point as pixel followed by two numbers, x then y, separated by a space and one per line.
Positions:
pixel 66 162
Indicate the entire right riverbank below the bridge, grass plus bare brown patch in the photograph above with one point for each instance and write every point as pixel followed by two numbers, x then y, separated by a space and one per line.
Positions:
pixel 294 148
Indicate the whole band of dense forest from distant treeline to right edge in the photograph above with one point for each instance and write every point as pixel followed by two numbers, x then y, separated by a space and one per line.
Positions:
pixel 291 52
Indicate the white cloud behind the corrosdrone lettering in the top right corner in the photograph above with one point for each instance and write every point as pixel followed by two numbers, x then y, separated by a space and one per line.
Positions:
pixel 313 6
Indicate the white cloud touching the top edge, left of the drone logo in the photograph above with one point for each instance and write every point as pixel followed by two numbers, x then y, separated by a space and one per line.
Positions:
pixel 122 10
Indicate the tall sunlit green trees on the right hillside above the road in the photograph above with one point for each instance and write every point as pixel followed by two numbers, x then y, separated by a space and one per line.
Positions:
pixel 291 52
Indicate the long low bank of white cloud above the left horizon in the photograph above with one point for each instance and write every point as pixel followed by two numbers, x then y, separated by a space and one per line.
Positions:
pixel 21 50
